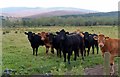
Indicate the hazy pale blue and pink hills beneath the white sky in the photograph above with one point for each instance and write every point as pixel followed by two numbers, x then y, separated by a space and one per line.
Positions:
pixel 38 11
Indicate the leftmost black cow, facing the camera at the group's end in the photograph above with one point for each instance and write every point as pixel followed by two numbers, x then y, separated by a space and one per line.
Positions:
pixel 35 41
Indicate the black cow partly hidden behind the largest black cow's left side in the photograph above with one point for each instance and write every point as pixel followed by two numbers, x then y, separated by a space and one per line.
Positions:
pixel 55 42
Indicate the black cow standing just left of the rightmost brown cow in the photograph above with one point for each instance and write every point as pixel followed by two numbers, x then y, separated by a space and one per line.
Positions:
pixel 90 42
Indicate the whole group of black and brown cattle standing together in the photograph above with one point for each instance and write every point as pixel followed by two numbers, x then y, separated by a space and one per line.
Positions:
pixel 65 42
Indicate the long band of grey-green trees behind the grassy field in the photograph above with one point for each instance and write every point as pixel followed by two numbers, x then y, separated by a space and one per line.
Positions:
pixel 62 21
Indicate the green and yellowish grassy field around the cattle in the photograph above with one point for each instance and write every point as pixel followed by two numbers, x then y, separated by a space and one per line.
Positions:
pixel 17 52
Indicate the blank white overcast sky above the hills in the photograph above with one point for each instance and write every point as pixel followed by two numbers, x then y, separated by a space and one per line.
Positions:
pixel 96 5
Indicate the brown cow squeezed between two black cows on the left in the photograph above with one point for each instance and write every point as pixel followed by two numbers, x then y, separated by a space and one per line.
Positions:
pixel 46 41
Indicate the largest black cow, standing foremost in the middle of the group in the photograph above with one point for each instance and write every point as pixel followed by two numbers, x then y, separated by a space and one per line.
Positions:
pixel 69 43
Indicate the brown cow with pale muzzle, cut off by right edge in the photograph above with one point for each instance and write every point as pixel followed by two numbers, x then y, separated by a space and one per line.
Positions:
pixel 109 45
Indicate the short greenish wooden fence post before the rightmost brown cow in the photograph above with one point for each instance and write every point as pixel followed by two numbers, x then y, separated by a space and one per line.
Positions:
pixel 107 63
